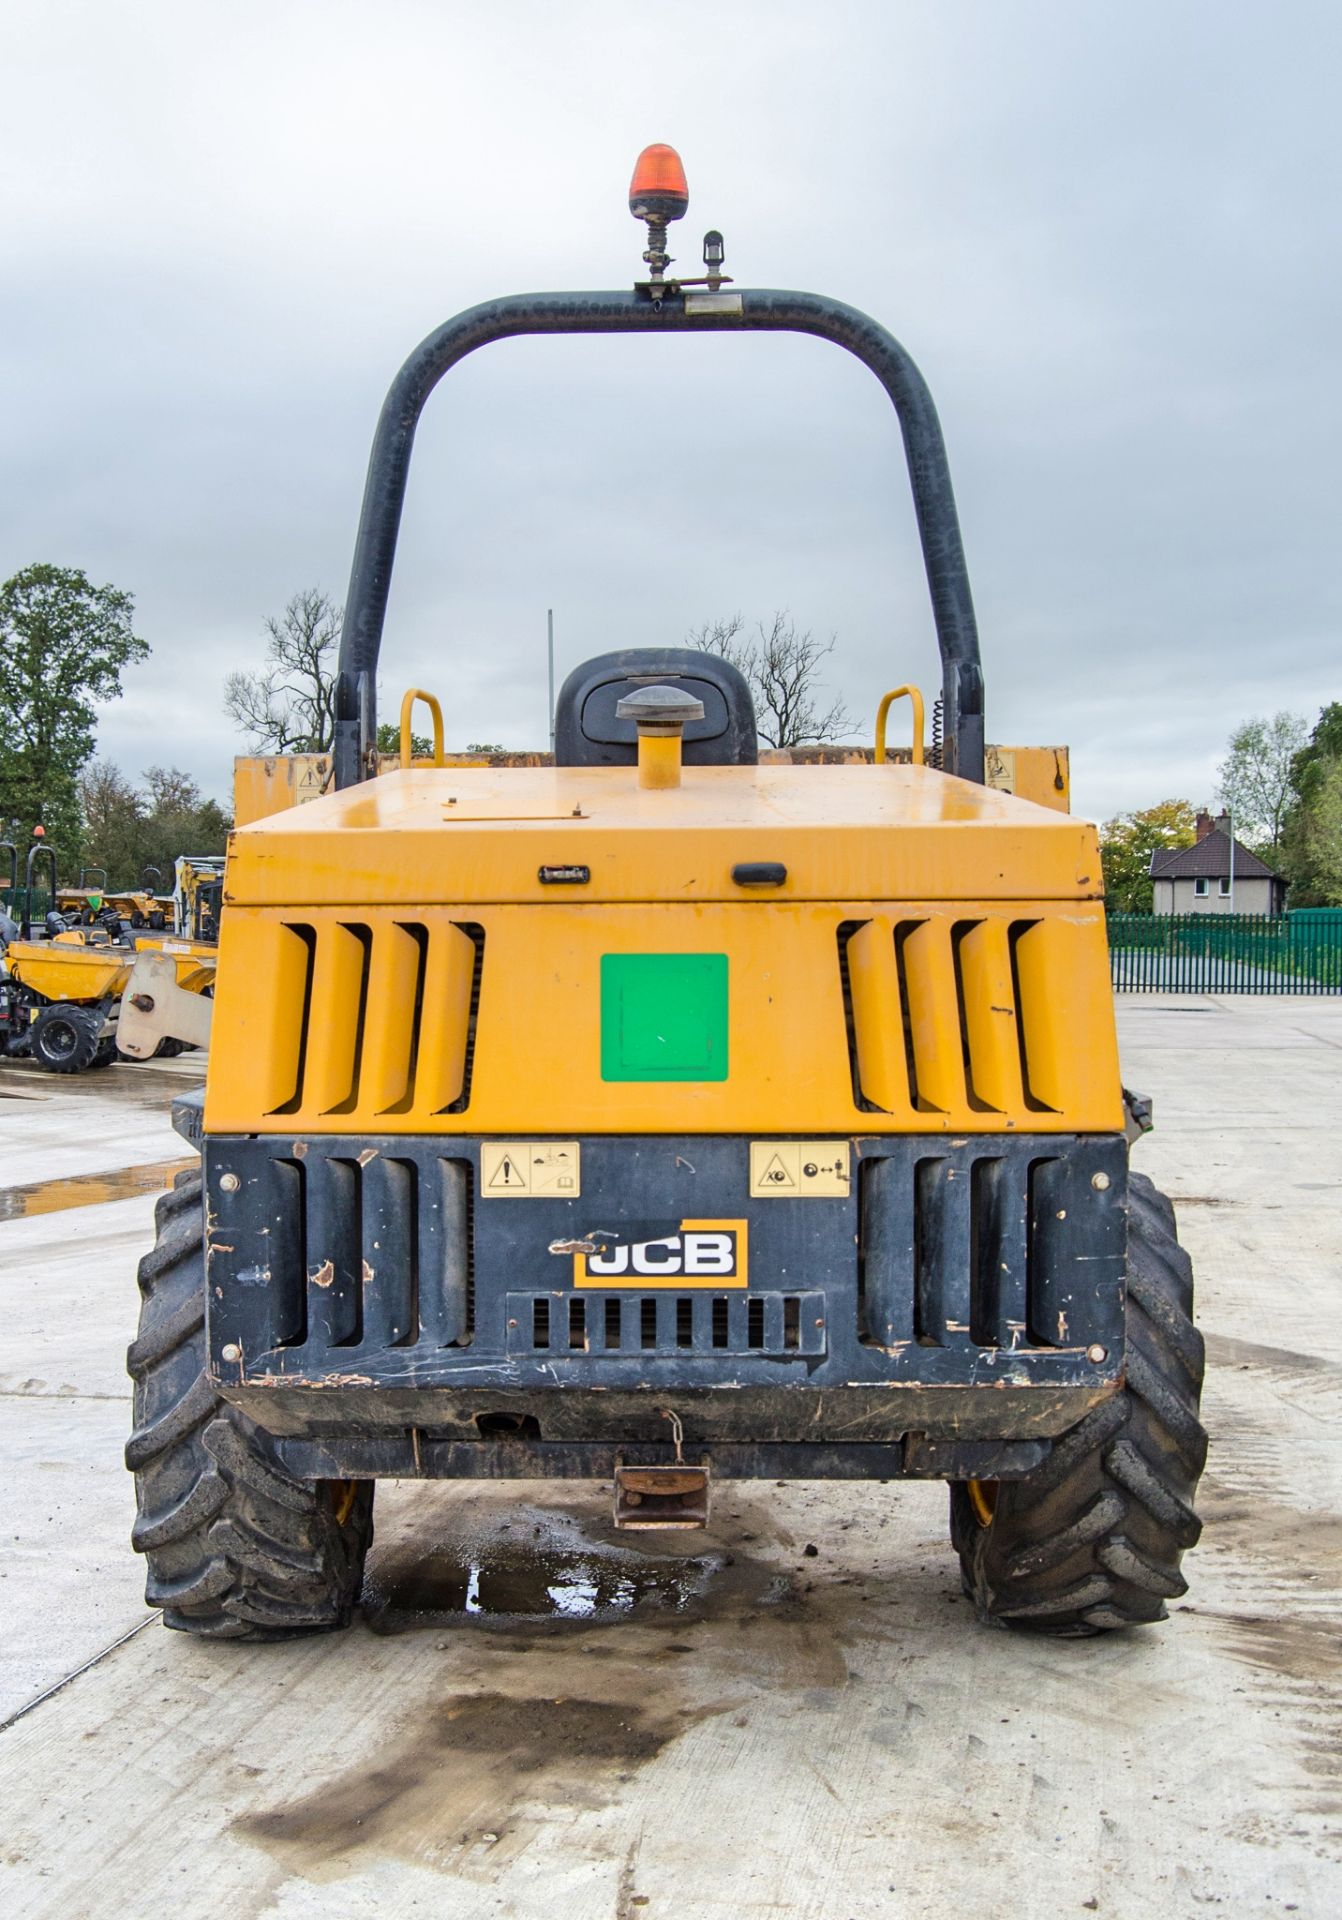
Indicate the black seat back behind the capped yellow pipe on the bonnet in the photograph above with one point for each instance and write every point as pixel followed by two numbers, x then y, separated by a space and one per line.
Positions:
pixel 590 734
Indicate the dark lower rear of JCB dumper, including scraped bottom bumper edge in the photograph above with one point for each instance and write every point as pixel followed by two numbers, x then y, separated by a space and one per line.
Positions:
pixel 959 1289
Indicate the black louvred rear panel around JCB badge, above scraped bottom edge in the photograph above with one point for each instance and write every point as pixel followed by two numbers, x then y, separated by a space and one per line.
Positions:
pixel 953 1264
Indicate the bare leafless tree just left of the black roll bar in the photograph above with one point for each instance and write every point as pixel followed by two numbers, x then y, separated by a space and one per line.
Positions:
pixel 291 706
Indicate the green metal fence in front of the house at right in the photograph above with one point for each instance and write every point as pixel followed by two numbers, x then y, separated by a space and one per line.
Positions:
pixel 1228 953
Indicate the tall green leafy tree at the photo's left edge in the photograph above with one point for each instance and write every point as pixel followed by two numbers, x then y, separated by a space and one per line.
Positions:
pixel 64 648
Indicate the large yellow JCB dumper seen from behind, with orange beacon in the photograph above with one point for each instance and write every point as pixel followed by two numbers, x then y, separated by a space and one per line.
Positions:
pixel 663 1116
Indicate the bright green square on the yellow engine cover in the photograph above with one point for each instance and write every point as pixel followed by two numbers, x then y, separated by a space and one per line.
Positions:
pixel 663 1017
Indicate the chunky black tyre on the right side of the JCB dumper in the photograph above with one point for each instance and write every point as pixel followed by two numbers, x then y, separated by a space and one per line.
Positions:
pixel 1093 1539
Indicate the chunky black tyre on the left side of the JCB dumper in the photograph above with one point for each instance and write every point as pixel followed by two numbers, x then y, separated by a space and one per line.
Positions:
pixel 237 1548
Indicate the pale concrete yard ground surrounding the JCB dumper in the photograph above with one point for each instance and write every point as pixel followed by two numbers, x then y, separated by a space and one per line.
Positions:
pixel 790 1716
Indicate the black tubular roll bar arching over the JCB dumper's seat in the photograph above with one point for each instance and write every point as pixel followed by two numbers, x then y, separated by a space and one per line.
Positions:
pixel 638 314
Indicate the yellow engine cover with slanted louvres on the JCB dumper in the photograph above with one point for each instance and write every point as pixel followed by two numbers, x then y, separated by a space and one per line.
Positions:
pixel 393 959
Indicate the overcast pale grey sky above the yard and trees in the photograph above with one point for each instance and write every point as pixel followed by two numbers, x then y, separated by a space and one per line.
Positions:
pixel 1107 233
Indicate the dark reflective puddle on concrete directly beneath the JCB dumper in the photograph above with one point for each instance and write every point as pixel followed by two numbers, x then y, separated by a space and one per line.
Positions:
pixel 537 1566
